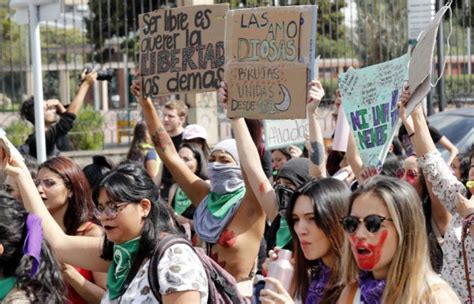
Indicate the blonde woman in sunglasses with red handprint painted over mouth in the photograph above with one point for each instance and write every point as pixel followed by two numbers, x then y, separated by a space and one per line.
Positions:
pixel 385 256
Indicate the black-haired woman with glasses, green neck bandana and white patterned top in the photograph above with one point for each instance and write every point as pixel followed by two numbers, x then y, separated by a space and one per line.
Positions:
pixel 134 220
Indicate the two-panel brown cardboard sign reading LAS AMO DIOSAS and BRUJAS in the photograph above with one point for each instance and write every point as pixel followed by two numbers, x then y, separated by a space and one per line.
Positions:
pixel 268 53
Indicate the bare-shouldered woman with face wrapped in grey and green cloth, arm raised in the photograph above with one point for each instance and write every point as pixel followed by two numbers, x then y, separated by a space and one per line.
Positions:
pixel 228 218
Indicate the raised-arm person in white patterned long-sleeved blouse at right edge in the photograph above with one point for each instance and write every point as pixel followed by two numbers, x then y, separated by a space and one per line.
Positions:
pixel 449 192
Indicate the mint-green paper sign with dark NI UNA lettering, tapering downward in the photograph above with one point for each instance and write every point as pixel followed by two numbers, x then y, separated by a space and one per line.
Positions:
pixel 369 98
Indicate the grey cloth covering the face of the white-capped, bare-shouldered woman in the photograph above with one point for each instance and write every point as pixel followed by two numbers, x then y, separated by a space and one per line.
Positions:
pixel 224 178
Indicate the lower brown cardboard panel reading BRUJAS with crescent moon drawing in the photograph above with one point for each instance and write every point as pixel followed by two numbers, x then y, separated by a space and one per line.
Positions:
pixel 266 90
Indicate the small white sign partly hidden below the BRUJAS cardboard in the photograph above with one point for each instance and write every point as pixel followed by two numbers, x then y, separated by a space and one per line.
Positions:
pixel 282 133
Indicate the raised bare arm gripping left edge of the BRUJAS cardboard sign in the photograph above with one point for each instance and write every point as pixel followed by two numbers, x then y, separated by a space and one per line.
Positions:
pixel 250 163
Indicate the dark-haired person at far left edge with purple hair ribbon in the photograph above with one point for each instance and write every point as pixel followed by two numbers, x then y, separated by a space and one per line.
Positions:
pixel 29 272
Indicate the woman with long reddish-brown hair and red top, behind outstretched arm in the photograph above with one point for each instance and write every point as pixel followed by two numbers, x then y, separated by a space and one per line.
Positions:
pixel 67 195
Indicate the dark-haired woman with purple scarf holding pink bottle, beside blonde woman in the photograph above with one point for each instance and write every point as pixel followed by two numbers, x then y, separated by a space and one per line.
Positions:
pixel 313 217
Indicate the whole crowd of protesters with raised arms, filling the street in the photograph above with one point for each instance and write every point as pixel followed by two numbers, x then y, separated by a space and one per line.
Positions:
pixel 402 233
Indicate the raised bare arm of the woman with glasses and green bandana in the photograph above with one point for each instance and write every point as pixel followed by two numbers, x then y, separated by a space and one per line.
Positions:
pixel 75 250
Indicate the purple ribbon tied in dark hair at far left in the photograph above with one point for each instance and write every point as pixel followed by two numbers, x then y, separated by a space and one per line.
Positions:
pixel 33 240
